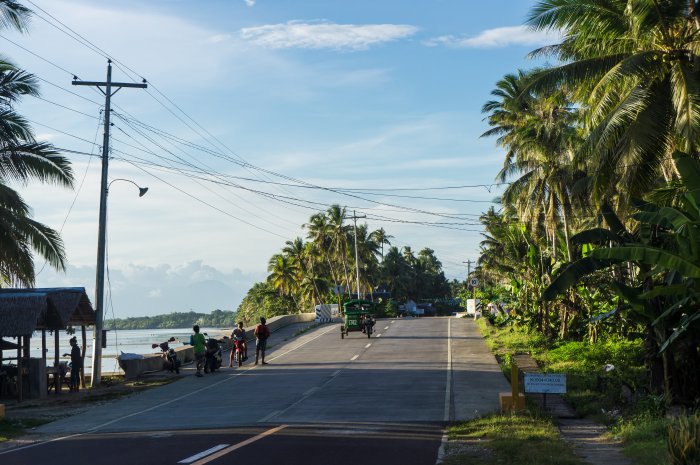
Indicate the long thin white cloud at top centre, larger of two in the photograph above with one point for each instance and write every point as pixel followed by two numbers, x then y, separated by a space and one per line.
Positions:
pixel 318 35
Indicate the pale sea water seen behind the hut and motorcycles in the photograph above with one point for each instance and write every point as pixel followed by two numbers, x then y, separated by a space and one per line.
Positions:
pixel 136 341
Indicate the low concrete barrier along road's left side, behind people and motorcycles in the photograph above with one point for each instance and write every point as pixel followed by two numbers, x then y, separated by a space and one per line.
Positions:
pixel 154 362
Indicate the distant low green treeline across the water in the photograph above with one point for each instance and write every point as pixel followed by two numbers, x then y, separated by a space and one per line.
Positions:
pixel 217 318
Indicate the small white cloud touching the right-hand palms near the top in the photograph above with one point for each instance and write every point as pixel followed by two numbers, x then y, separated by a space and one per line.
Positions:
pixel 499 37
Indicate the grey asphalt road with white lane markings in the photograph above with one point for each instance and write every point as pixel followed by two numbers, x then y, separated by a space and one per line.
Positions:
pixel 321 400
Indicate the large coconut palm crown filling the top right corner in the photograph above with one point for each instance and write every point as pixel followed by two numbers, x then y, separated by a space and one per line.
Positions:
pixel 634 67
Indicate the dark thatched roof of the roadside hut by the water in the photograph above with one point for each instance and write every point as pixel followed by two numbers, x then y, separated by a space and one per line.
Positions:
pixel 22 311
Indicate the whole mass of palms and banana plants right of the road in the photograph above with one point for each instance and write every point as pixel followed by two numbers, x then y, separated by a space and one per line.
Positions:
pixel 598 222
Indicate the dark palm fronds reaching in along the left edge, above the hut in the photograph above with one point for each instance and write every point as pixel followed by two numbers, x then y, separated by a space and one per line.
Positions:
pixel 23 159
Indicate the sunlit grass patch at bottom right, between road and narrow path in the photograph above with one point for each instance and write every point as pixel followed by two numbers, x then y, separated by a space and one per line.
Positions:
pixel 525 439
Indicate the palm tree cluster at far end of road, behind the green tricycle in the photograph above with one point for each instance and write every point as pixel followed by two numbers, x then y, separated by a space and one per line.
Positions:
pixel 322 269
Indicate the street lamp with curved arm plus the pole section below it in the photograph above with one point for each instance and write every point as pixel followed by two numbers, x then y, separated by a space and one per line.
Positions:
pixel 96 372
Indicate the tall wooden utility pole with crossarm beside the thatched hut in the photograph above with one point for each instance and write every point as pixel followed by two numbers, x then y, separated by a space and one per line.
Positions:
pixel 96 373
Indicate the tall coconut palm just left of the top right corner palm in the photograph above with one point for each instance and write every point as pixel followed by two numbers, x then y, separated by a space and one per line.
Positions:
pixel 540 133
